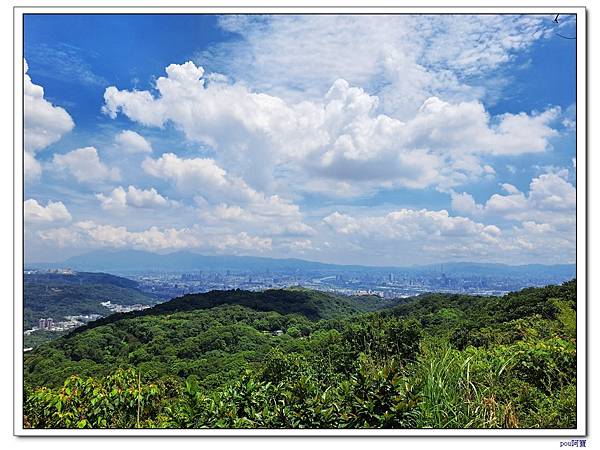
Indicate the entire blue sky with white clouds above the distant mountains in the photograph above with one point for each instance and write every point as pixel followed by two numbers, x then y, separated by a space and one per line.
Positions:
pixel 352 139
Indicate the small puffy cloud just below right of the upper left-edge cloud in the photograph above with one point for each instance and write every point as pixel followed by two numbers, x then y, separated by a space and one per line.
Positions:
pixel 85 165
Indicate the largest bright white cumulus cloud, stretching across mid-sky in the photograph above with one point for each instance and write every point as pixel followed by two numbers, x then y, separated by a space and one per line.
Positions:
pixel 341 138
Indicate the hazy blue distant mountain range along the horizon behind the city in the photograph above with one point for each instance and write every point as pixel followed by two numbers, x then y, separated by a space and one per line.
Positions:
pixel 121 261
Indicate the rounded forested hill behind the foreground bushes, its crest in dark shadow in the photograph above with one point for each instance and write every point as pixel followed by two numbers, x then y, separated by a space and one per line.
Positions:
pixel 213 335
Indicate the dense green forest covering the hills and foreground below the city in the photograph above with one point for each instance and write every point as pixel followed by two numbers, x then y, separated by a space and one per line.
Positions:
pixel 304 359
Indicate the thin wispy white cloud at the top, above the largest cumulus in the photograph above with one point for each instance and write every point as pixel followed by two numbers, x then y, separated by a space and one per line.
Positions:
pixel 408 57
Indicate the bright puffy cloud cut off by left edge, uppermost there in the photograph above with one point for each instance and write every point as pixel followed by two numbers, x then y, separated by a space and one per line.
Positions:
pixel 44 124
